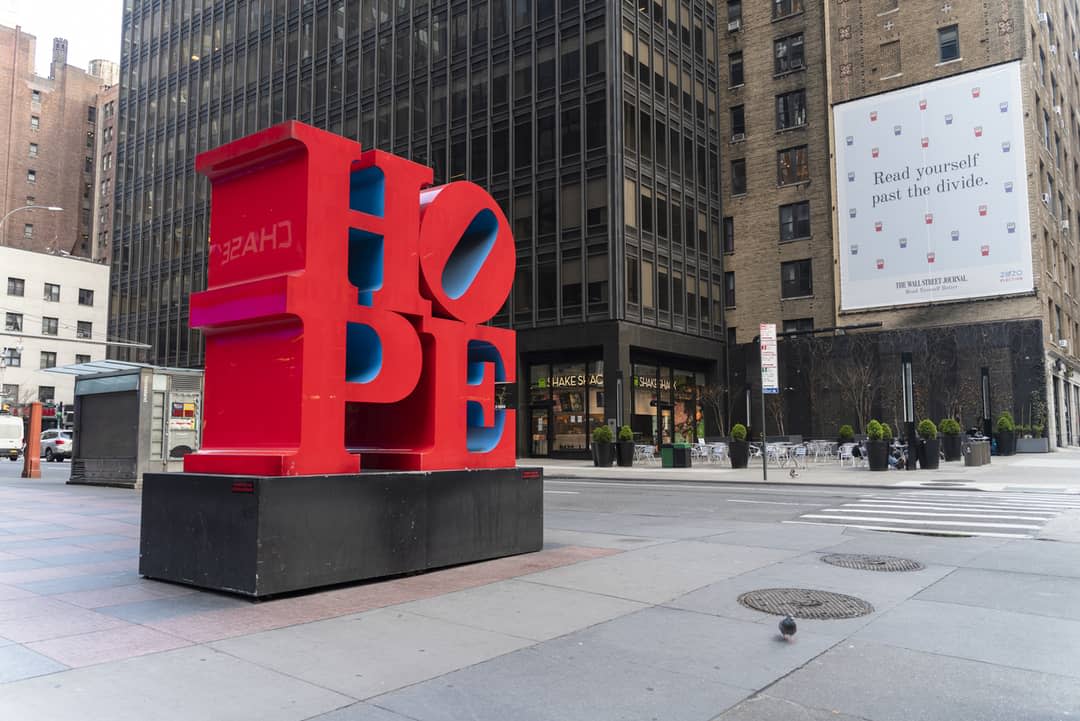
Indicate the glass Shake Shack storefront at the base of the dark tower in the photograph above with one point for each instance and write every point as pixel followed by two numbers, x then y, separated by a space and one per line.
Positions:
pixel 569 393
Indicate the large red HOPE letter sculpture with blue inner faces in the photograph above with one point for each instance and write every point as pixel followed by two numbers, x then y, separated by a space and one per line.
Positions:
pixel 344 309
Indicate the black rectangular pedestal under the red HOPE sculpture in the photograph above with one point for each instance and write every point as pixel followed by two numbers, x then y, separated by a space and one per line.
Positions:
pixel 261 537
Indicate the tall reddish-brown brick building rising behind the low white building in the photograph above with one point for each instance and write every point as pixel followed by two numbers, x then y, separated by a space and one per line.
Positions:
pixel 48 152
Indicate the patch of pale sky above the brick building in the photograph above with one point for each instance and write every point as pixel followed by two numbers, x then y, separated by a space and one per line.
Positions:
pixel 92 28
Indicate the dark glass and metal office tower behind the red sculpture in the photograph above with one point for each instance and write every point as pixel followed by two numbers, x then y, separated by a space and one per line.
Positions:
pixel 593 125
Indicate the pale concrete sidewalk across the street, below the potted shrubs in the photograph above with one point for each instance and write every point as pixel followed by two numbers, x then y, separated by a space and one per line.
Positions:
pixel 1059 472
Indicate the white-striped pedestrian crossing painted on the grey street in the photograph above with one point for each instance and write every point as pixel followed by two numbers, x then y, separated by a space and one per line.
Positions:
pixel 1004 515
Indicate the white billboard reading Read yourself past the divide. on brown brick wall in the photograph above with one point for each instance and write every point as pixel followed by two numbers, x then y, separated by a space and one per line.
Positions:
pixel 933 193
